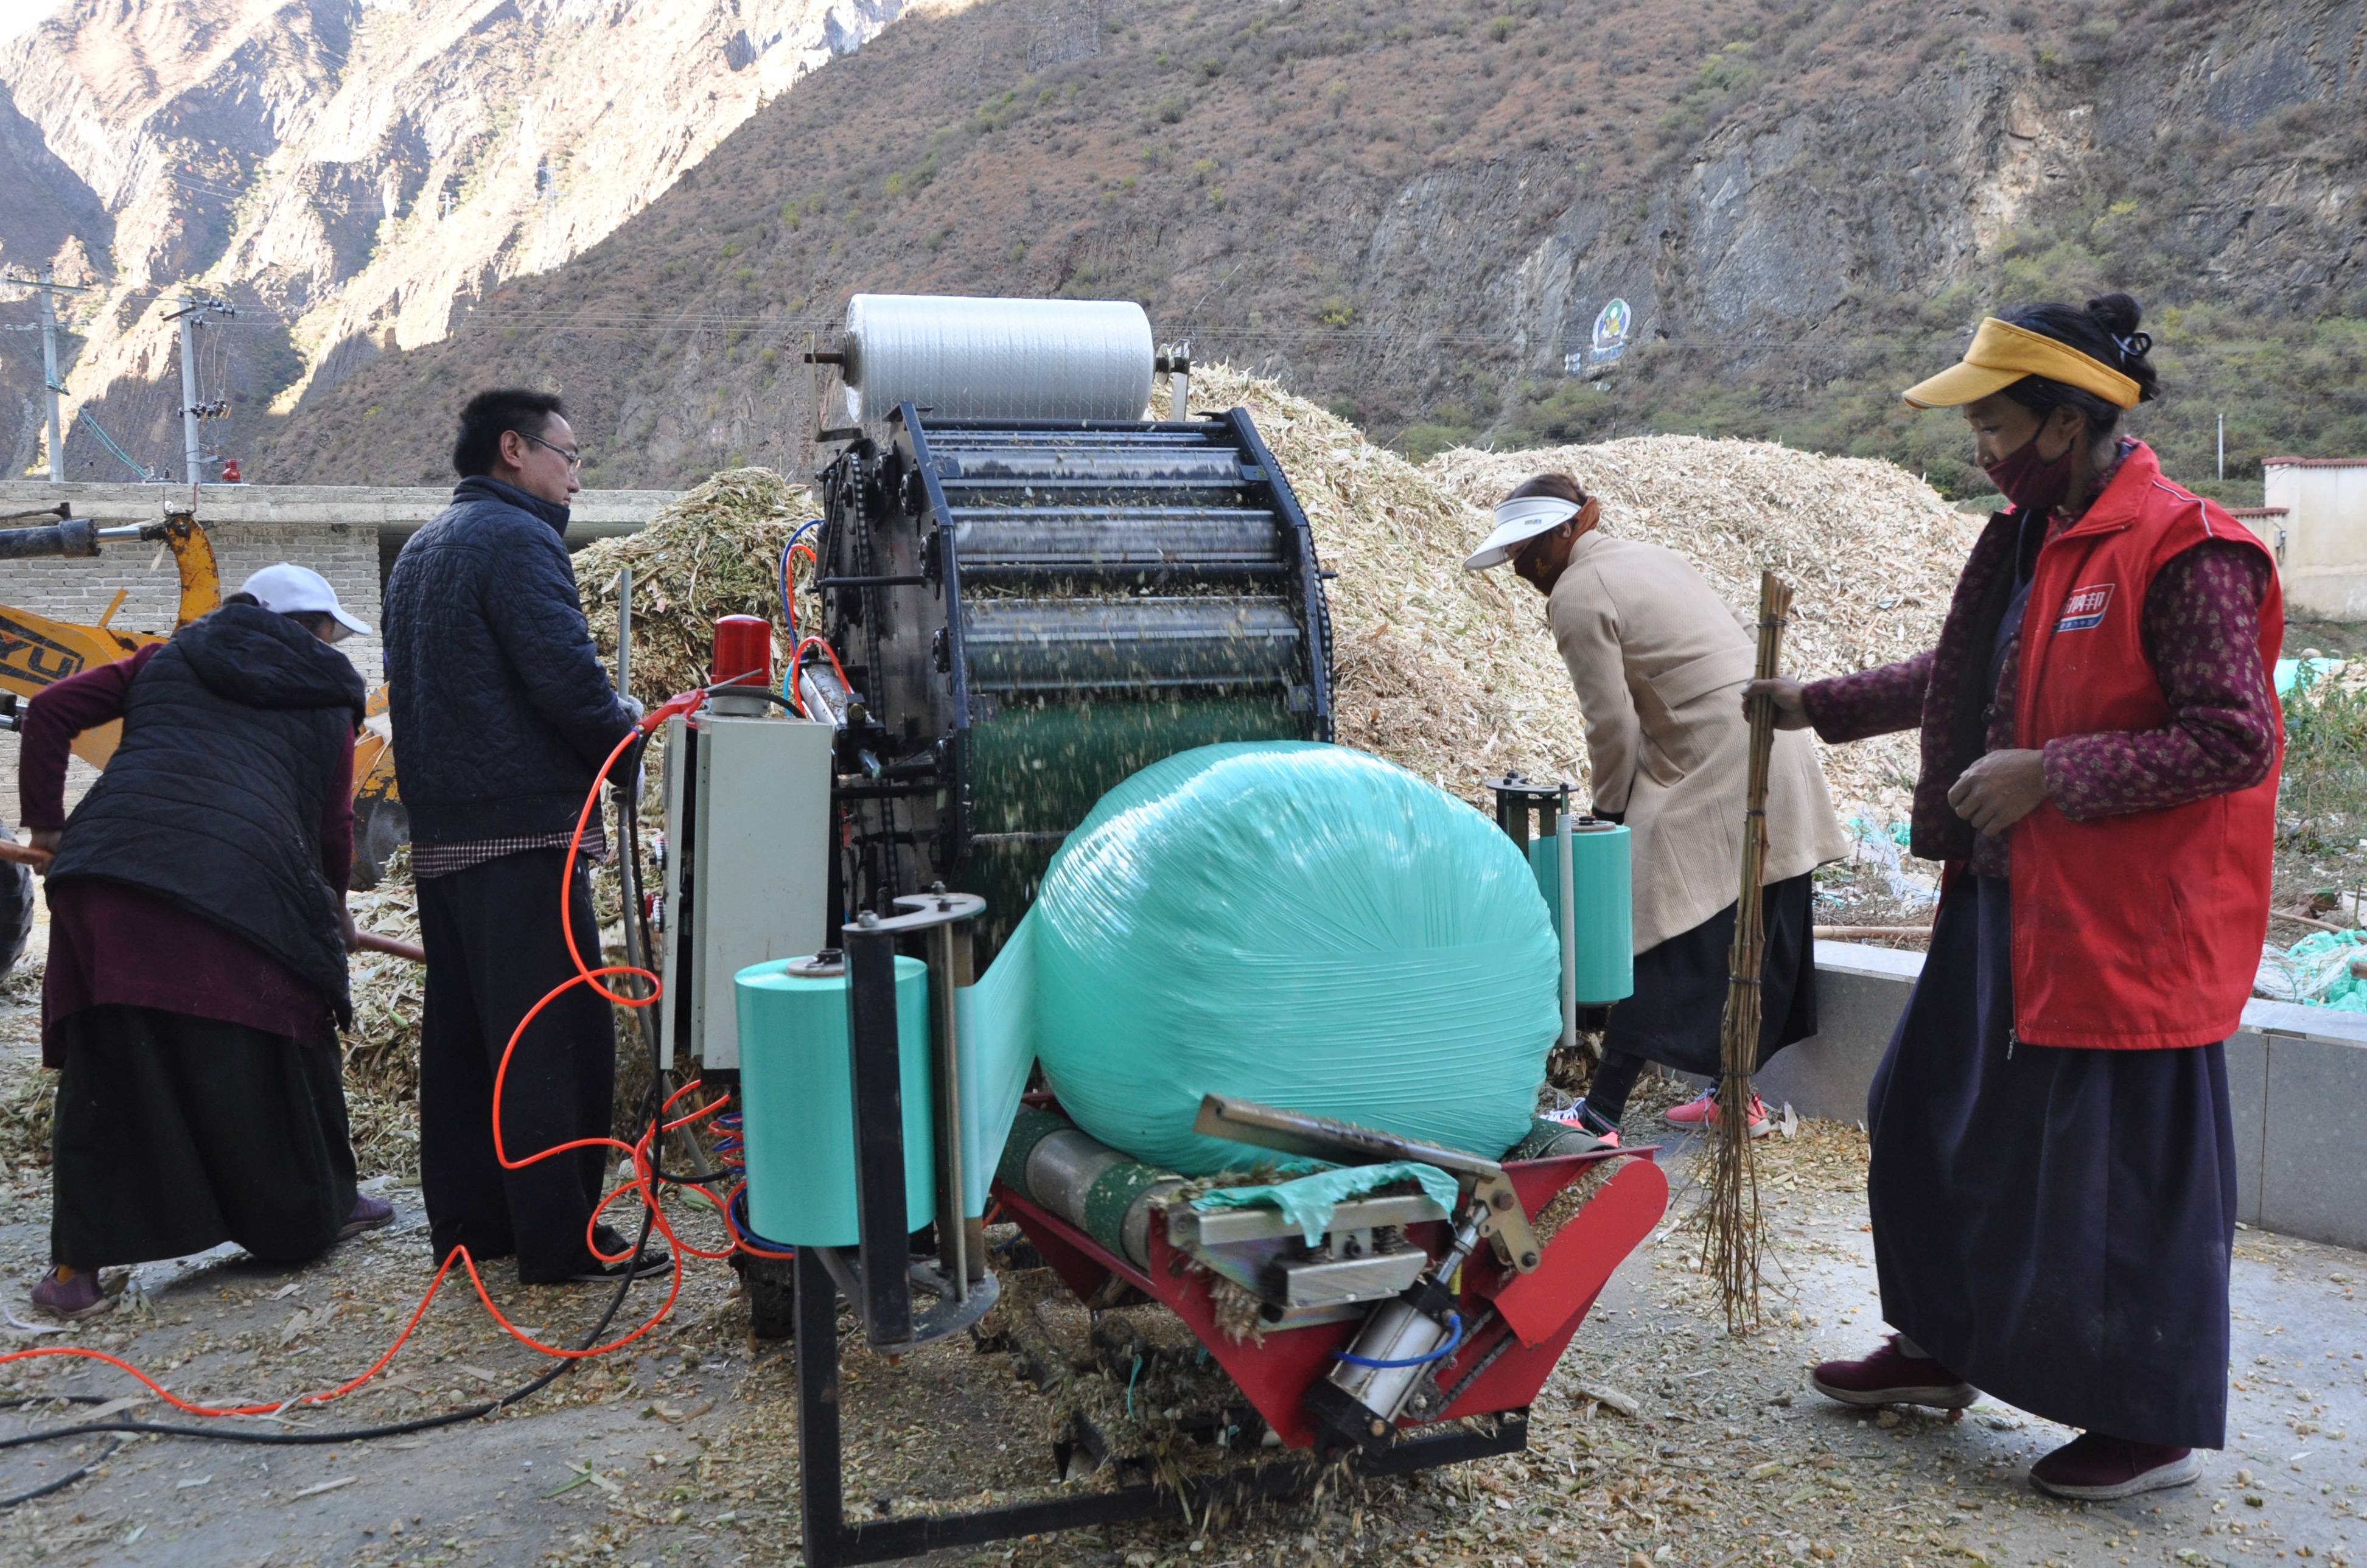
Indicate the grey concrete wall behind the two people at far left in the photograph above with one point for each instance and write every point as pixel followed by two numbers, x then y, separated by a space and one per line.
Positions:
pixel 344 533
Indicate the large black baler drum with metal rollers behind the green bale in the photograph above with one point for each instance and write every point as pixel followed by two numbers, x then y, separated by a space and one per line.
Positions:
pixel 1031 611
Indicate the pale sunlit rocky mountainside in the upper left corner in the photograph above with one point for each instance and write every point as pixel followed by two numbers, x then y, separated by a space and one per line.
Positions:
pixel 344 171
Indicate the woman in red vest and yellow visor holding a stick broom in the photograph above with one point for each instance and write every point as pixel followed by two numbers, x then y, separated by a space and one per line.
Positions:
pixel 2053 1160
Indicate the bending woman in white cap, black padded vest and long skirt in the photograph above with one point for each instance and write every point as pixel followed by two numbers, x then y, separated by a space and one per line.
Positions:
pixel 198 942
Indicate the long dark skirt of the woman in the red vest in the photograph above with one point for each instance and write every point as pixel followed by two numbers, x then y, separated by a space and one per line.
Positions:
pixel 2053 1224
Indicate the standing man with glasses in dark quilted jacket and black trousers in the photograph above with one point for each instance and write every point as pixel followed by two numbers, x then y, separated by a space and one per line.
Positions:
pixel 503 715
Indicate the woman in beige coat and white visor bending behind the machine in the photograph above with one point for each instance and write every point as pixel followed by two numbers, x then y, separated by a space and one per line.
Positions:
pixel 1660 663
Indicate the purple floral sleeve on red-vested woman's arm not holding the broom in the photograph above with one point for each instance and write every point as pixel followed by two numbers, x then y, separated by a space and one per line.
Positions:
pixel 2202 635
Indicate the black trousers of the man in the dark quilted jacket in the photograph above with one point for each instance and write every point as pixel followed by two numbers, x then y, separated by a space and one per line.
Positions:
pixel 494 952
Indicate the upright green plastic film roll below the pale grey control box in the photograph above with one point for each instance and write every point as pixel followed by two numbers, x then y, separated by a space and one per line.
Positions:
pixel 799 1103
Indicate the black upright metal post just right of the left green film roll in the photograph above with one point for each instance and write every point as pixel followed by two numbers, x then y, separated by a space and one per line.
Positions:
pixel 879 1139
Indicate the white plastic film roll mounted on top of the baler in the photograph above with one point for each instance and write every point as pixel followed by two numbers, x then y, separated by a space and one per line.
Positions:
pixel 979 358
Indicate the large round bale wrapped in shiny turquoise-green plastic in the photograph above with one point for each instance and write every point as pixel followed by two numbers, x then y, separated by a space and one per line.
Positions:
pixel 1301 926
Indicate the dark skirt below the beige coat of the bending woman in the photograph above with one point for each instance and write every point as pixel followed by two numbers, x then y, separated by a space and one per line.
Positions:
pixel 1679 1006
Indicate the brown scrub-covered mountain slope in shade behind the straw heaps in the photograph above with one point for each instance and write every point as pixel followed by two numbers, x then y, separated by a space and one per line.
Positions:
pixel 1417 212
